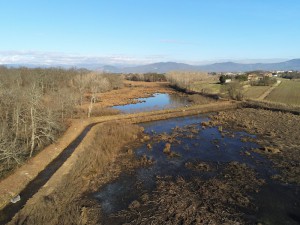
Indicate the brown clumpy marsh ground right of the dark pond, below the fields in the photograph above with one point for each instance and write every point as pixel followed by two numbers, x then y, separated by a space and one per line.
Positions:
pixel 277 132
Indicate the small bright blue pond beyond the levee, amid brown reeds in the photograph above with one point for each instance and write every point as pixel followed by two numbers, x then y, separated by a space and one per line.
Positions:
pixel 156 102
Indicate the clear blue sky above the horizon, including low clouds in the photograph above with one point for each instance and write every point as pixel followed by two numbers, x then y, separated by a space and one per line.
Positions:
pixel 141 31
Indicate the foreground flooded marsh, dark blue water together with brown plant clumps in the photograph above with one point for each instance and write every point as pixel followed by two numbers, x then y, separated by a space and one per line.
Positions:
pixel 203 170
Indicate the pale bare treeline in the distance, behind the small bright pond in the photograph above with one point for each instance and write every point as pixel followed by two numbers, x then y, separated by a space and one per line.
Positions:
pixel 184 80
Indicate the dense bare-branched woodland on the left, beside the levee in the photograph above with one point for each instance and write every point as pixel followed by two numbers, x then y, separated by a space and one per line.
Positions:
pixel 35 103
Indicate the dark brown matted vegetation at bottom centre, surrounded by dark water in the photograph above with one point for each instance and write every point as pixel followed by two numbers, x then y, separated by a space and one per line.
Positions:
pixel 219 200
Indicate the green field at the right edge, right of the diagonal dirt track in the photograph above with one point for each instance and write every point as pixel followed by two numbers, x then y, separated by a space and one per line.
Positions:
pixel 287 92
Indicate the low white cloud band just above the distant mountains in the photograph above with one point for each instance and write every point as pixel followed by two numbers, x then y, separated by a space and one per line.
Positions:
pixel 63 59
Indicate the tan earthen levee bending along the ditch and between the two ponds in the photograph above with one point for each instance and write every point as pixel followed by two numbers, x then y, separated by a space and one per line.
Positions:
pixel 23 176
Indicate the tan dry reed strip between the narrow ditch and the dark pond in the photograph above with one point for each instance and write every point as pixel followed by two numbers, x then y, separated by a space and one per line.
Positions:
pixel 62 200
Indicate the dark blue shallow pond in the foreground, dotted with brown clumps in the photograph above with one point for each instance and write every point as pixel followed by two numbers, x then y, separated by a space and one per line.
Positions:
pixel 210 147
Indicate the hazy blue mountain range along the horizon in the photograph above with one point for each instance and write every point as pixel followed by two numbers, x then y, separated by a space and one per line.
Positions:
pixel 163 67
